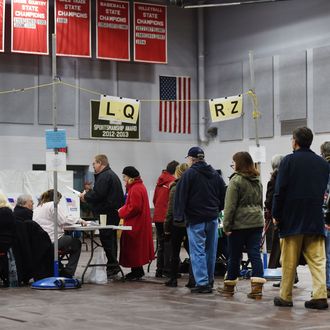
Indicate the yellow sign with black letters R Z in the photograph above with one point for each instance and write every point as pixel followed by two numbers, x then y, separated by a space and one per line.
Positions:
pixel 226 108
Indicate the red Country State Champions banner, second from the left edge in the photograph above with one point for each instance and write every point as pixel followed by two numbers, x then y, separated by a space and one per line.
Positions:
pixel 29 27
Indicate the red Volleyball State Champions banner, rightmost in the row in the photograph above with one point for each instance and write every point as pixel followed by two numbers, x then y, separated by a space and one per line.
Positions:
pixel 150 33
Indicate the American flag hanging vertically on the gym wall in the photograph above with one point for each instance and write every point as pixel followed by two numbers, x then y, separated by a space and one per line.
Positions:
pixel 174 104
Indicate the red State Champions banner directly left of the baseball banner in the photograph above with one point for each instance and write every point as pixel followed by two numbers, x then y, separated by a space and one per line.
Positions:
pixel 73 28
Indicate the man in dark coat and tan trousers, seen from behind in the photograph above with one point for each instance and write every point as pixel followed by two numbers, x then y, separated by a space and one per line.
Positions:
pixel 297 211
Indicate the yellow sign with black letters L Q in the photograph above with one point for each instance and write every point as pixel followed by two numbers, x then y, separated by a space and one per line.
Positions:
pixel 119 109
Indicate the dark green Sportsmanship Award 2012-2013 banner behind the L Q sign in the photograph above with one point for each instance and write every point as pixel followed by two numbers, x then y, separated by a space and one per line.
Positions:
pixel 104 129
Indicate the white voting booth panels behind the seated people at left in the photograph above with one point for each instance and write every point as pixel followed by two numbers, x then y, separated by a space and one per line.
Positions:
pixel 14 183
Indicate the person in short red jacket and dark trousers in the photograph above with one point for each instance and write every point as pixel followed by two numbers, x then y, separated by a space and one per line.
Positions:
pixel 160 201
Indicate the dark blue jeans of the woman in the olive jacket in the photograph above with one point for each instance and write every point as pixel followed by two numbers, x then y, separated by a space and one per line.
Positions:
pixel 249 238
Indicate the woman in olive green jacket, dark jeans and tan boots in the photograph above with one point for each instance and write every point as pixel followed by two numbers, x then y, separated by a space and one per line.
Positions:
pixel 243 224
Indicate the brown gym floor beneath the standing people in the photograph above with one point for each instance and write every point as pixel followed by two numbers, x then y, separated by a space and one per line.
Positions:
pixel 148 304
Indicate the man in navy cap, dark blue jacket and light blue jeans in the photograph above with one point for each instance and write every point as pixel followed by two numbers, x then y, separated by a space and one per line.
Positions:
pixel 198 200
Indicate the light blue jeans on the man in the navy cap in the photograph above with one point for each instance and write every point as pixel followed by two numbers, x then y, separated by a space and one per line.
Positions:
pixel 203 241
